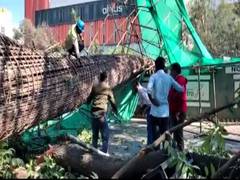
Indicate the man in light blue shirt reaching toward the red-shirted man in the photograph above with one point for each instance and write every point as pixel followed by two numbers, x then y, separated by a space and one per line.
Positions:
pixel 158 89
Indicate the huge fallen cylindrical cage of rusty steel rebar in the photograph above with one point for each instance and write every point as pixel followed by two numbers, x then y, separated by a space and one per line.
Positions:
pixel 35 86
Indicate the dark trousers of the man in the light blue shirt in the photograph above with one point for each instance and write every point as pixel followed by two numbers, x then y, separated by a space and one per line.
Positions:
pixel 159 126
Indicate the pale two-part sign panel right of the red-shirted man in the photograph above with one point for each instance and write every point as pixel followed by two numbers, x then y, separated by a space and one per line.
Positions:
pixel 193 92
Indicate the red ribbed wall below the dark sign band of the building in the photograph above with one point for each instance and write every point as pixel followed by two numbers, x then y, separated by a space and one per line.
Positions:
pixel 103 32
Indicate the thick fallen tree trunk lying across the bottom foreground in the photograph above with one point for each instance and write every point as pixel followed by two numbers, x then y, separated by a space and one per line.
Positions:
pixel 86 161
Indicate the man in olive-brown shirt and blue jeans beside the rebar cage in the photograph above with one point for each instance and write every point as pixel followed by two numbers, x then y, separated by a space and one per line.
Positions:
pixel 100 96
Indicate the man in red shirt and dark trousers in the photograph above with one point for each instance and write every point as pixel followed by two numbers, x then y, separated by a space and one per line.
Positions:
pixel 178 104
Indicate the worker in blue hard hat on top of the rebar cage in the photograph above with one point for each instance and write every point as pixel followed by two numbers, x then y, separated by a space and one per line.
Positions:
pixel 74 42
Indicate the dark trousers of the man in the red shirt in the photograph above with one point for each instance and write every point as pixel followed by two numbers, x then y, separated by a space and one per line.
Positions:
pixel 176 119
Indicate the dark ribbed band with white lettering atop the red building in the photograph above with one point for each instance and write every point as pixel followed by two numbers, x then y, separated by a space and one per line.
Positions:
pixel 88 12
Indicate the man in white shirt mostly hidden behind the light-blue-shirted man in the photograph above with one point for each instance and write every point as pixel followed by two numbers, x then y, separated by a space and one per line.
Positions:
pixel 145 101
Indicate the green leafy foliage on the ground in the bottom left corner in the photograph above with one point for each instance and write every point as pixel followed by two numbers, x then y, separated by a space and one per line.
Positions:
pixel 13 167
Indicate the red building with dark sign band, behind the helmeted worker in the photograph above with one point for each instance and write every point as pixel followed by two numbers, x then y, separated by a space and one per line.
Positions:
pixel 57 15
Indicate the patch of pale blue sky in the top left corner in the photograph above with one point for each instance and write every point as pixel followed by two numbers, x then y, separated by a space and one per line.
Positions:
pixel 16 7
